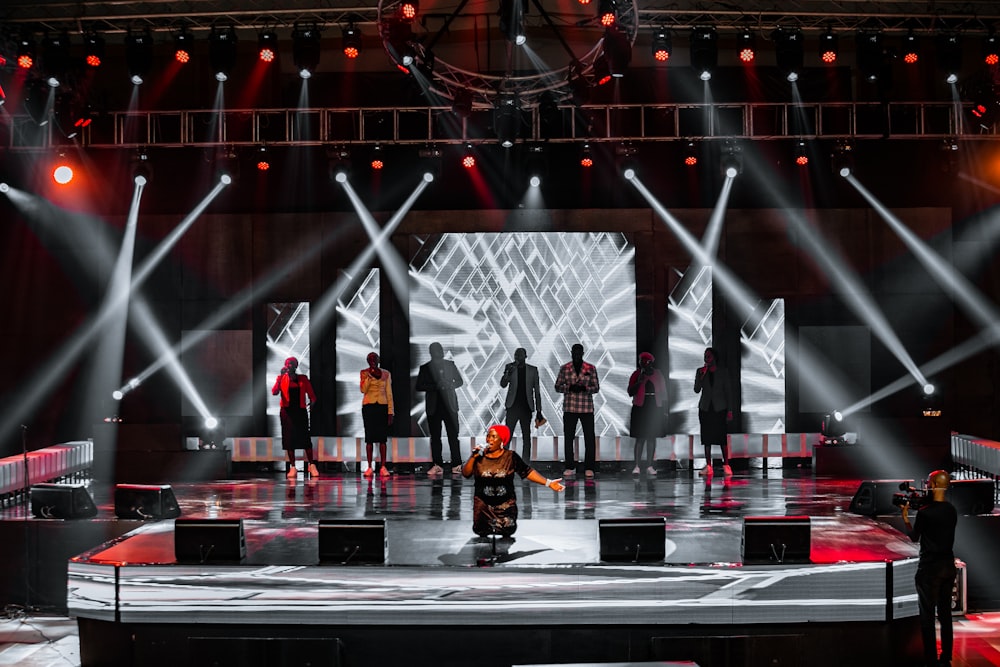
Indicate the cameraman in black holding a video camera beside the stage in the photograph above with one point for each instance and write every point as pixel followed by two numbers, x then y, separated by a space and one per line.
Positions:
pixel 935 530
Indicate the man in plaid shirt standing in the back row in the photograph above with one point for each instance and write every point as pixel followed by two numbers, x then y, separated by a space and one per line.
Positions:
pixel 578 381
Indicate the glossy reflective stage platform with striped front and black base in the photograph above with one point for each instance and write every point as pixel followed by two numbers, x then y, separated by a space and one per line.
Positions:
pixel 545 597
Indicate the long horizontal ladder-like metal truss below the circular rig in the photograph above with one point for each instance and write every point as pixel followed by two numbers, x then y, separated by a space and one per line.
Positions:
pixel 430 126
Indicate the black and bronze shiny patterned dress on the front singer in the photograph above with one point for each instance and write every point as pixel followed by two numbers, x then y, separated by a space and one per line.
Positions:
pixel 494 507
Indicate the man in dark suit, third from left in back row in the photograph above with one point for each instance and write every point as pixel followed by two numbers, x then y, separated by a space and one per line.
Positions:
pixel 439 377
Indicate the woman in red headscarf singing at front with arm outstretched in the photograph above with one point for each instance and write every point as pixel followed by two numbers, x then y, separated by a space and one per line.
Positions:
pixel 494 507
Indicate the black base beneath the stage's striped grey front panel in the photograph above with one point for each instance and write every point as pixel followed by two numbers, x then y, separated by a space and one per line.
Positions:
pixel 816 645
